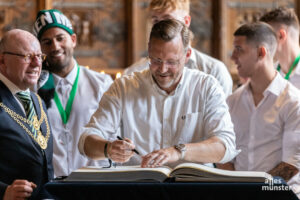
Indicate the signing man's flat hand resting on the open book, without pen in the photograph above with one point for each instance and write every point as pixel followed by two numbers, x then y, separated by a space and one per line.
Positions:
pixel 160 157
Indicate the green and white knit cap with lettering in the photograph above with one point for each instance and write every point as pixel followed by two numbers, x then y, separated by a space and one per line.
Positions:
pixel 51 18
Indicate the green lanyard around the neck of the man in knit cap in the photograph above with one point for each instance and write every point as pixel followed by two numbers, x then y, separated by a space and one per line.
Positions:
pixel 64 113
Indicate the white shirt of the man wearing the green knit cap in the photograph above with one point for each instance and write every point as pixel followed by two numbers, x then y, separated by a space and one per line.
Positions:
pixel 91 86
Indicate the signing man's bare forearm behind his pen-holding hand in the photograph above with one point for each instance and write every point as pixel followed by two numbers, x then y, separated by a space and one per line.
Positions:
pixel 94 147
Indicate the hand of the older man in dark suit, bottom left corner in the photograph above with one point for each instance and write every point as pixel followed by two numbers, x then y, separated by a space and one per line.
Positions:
pixel 19 189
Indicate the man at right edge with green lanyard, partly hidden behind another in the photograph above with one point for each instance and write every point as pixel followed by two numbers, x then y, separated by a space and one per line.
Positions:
pixel 286 24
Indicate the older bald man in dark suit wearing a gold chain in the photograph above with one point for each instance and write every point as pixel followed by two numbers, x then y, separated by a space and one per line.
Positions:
pixel 25 135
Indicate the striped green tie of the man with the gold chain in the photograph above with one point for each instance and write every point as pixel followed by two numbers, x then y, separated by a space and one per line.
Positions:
pixel 28 106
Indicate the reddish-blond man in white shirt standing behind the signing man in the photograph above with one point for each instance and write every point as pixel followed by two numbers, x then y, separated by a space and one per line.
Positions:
pixel 179 9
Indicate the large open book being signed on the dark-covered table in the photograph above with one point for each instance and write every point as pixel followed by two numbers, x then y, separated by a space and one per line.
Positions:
pixel 182 172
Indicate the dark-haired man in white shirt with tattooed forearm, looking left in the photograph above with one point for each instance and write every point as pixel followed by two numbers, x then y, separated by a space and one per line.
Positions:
pixel 265 111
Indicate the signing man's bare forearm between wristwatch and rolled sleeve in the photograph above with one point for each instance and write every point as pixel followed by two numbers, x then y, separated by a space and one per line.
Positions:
pixel 211 150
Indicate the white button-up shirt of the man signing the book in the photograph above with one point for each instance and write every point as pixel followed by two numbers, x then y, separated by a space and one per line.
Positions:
pixel 152 119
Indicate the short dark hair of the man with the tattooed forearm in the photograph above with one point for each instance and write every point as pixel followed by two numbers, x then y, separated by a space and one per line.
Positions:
pixel 259 33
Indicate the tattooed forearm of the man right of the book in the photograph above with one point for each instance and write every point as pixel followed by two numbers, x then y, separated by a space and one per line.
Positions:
pixel 284 170
